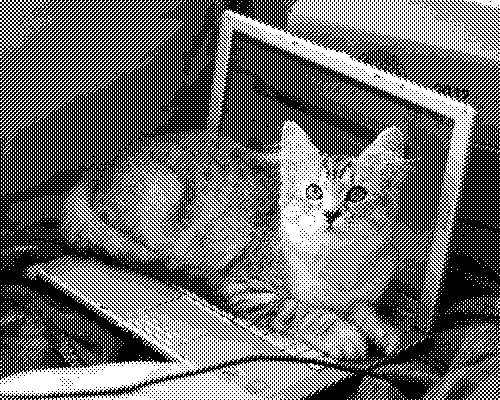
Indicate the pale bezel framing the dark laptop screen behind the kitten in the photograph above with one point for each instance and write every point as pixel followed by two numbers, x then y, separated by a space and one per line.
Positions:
pixel 461 114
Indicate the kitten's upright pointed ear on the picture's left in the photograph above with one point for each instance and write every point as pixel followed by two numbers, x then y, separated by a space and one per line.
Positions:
pixel 295 142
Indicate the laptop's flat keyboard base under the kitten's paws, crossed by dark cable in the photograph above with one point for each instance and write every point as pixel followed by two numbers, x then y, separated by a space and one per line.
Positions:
pixel 187 329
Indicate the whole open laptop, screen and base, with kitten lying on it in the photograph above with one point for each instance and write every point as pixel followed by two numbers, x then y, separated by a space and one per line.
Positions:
pixel 264 77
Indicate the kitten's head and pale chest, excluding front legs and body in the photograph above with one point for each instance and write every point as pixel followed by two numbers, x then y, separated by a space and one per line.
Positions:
pixel 337 216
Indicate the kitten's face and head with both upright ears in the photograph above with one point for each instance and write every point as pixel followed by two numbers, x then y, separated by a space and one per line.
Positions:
pixel 324 196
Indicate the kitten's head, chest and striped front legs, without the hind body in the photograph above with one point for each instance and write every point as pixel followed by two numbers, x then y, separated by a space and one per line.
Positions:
pixel 330 252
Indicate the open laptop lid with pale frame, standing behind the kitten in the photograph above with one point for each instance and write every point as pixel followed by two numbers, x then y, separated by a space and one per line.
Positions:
pixel 264 77
